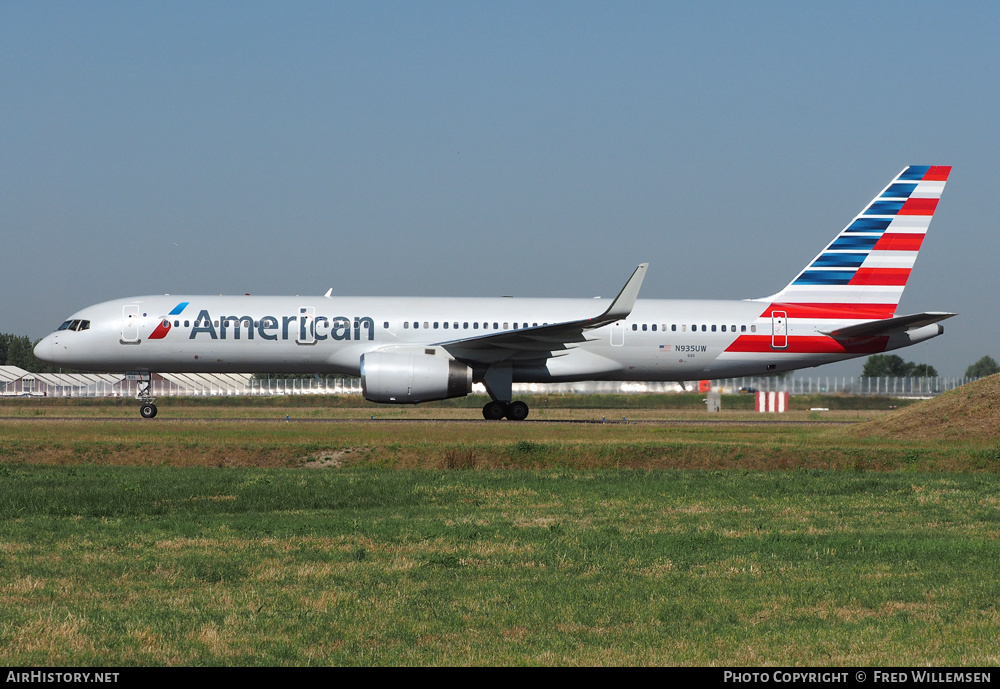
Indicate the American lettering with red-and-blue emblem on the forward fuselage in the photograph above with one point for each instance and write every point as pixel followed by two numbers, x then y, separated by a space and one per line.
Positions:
pixel 304 327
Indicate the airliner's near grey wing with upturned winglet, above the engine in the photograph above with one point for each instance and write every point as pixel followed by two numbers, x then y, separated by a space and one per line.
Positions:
pixel 545 341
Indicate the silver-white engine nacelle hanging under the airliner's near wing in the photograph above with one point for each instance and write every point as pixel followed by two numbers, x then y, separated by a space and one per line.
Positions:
pixel 412 378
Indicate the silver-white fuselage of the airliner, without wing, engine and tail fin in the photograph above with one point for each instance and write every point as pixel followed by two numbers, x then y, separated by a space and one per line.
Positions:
pixel 660 340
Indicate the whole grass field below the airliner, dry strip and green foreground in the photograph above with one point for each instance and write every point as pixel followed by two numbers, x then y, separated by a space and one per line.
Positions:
pixel 233 542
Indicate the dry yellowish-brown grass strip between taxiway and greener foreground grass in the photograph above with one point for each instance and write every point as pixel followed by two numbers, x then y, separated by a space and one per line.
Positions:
pixel 459 445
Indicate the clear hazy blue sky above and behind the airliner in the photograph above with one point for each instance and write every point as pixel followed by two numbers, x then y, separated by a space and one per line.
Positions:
pixel 529 149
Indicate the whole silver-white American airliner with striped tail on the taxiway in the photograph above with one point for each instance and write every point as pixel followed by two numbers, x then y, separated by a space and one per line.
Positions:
pixel 407 350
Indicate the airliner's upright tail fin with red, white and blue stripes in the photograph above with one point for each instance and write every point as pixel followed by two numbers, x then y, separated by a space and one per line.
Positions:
pixel 867 265
